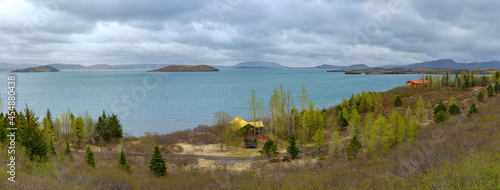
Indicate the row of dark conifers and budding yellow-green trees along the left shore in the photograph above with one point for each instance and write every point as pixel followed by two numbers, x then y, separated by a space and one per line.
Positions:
pixel 38 138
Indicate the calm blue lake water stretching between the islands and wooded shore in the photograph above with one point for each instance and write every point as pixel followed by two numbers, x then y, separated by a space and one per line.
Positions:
pixel 165 102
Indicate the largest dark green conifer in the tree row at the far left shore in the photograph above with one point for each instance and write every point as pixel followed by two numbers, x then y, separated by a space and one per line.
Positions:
pixel 30 136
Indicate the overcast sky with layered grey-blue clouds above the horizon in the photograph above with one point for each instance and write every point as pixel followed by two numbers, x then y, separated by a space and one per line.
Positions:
pixel 295 33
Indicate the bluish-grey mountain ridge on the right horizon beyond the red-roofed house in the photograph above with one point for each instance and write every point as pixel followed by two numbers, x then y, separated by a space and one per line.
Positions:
pixel 450 64
